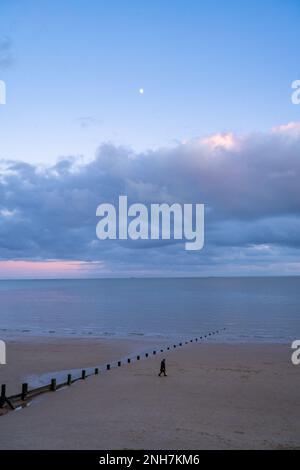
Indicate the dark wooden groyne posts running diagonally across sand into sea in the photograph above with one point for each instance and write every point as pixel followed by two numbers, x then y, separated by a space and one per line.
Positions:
pixel 20 399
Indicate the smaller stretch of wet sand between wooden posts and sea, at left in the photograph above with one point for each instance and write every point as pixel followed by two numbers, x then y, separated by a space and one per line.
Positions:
pixel 30 358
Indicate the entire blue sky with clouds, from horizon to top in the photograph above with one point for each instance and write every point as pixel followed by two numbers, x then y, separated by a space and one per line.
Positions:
pixel 215 125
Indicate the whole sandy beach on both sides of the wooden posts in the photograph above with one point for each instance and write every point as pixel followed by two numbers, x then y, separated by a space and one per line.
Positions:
pixel 216 396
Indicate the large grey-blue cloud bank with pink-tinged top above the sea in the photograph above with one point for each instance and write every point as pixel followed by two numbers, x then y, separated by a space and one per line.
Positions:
pixel 249 184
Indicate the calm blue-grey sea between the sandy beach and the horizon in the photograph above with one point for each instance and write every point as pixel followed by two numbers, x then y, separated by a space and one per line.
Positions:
pixel 251 309
